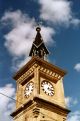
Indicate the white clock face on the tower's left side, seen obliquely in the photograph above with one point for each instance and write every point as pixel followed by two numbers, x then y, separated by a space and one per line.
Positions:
pixel 29 89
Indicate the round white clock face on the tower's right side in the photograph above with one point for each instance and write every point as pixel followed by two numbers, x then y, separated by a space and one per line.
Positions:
pixel 47 87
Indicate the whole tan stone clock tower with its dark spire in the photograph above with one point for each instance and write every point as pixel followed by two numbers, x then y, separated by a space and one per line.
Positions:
pixel 40 93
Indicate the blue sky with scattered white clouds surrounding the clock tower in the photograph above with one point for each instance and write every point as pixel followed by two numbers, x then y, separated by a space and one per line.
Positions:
pixel 60 29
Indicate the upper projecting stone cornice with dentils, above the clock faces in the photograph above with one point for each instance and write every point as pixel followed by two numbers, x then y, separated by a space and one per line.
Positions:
pixel 34 62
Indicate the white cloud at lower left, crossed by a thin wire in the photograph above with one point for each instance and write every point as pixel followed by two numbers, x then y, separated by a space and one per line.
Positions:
pixel 6 104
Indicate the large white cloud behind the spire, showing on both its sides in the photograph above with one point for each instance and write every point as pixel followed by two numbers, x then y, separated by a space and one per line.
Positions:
pixel 20 38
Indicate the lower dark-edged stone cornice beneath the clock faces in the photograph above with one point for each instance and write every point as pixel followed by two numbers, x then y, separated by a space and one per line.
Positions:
pixel 37 101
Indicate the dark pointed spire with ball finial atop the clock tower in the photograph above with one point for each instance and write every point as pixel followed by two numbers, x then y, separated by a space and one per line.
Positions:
pixel 38 47
